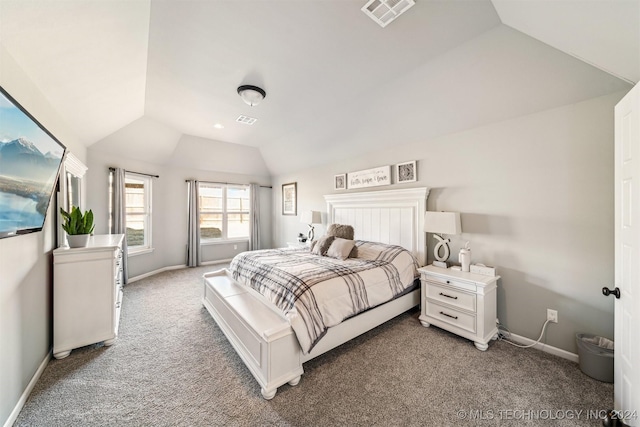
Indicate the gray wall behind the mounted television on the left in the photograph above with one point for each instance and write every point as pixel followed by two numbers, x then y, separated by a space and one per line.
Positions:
pixel 26 262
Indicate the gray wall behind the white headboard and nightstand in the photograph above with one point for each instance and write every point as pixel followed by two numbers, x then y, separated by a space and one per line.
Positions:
pixel 536 200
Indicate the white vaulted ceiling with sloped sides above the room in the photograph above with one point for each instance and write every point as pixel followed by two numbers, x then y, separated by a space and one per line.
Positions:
pixel 150 78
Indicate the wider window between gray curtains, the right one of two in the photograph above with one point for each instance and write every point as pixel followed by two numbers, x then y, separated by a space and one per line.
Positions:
pixel 224 212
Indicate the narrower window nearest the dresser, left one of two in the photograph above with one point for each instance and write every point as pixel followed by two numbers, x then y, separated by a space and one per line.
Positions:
pixel 138 212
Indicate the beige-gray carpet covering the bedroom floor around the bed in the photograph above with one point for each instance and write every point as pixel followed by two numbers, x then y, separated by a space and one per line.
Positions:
pixel 172 366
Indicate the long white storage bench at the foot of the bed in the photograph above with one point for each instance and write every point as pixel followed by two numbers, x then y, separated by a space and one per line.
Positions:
pixel 263 338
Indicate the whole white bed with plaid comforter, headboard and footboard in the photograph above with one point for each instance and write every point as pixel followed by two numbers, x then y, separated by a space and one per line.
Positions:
pixel 265 328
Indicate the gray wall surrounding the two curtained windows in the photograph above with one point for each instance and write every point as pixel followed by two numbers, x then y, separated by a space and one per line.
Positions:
pixel 169 209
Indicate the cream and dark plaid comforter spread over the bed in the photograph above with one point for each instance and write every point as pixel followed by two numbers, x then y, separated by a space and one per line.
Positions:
pixel 317 292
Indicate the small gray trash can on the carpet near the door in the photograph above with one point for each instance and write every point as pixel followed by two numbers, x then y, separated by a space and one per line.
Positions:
pixel 595 356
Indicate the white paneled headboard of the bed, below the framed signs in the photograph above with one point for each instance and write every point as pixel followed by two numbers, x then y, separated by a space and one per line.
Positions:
pixel 390 216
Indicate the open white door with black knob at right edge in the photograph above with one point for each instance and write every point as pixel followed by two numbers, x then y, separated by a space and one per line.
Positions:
pixel 627 257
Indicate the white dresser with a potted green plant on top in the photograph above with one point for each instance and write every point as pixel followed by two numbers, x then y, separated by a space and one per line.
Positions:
pixel 87 294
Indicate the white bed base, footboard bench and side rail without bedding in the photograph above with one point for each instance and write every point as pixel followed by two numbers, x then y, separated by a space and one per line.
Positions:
pixel 264 338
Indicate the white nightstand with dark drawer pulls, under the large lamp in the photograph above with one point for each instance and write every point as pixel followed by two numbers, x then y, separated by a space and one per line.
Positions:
pixel 462 303
